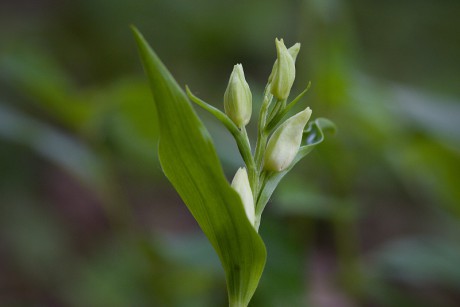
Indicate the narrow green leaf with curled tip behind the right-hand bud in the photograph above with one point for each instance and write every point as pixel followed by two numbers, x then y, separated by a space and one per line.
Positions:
pixel 312 136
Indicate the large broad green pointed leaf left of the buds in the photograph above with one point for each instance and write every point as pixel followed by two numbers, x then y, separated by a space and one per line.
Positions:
pixel 190 162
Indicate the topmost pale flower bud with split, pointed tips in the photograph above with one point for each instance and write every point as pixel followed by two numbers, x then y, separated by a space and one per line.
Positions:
pixel 284 70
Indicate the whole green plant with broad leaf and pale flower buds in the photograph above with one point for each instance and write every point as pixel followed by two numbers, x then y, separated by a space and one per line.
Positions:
pixel 230 215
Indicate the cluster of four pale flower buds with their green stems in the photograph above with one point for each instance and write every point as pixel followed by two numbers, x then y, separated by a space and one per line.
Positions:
pixel 283 145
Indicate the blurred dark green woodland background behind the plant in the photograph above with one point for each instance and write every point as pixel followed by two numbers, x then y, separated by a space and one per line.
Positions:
pixel 370 218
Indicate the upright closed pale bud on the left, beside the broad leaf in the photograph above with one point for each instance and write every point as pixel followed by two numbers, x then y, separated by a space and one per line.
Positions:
pixel 238 98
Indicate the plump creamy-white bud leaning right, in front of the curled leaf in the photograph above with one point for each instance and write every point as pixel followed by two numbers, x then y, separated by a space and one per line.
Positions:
pixel 285 142
